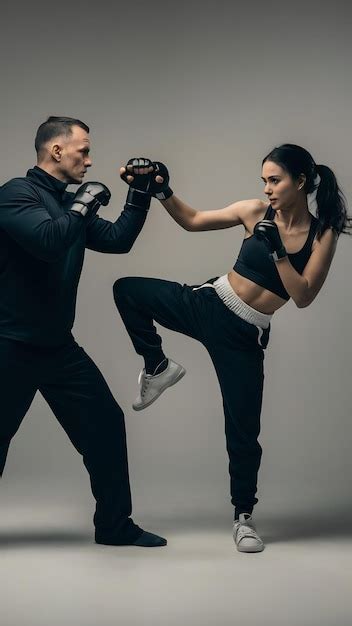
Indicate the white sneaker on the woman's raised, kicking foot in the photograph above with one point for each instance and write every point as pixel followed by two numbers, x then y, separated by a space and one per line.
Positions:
pixel 152 386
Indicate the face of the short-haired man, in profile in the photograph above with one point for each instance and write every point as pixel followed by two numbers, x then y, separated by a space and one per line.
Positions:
pixel 74 156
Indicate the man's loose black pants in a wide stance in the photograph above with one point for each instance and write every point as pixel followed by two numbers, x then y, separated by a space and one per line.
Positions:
pixel 81 400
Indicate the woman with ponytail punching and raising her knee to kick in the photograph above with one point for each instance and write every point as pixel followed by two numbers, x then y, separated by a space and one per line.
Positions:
pixel 286 253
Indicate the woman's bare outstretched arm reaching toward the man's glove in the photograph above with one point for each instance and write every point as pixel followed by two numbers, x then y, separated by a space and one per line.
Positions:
pixel 194 220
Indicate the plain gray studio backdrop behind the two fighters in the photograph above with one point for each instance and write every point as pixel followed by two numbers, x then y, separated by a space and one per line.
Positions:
pixel 209 90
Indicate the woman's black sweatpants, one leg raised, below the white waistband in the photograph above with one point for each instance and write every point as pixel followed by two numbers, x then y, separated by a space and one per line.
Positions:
pixel 235 346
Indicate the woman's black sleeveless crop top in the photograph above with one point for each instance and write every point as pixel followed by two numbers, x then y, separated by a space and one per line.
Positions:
pixel 254 261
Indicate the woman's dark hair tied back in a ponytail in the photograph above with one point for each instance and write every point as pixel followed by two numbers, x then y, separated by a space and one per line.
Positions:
pixel 331 202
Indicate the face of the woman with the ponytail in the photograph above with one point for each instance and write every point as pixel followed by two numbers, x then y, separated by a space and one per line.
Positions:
pixel 282 190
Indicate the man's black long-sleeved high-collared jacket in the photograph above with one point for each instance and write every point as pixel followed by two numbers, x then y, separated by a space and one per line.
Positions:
pixel 42 246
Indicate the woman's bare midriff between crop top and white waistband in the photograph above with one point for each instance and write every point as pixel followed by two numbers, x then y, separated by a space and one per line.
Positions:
pixel 256 296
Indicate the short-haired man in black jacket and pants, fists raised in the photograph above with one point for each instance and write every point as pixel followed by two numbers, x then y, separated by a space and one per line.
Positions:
pixel 44 231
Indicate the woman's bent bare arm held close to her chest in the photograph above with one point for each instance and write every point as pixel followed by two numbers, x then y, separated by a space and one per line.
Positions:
pixel 304 288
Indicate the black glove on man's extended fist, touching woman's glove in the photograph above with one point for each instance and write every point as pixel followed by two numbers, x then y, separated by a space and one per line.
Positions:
pixel 138 193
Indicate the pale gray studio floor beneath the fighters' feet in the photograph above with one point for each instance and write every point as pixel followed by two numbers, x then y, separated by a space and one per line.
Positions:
pixel 53 574
